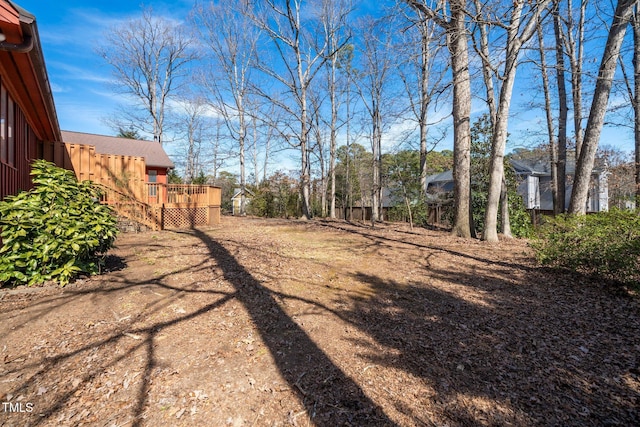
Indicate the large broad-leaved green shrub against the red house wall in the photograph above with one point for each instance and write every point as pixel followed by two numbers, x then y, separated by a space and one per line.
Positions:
pixel 54 231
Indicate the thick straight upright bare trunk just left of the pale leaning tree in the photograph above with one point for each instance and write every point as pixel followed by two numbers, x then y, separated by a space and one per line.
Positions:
pixel 455 26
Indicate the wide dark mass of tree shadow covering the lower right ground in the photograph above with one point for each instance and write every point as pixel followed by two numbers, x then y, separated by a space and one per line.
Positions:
pixel 525 349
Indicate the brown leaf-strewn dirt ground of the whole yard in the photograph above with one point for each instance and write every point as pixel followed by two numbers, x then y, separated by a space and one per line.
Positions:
pixel 272 322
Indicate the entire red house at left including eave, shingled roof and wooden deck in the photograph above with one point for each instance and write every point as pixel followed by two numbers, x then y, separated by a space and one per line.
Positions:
pixel 133 174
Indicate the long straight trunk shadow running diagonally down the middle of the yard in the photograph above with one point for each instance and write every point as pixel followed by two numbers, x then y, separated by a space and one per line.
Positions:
pixel 330 397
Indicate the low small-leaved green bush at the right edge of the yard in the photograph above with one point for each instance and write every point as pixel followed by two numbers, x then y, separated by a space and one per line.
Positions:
pixel 606 244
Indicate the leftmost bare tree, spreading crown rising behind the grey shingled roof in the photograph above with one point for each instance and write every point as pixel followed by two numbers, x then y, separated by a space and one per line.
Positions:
pixel 150 58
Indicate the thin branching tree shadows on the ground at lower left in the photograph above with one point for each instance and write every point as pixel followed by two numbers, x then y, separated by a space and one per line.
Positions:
pixel 131 340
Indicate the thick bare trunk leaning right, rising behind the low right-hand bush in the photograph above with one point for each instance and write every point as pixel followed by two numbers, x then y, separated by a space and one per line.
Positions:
pixel 608 65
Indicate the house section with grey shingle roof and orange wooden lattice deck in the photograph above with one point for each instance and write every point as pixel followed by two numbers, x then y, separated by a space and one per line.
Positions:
pixel 134 176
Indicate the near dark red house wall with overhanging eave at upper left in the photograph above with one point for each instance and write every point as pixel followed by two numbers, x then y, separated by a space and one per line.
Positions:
pixel 29 126
